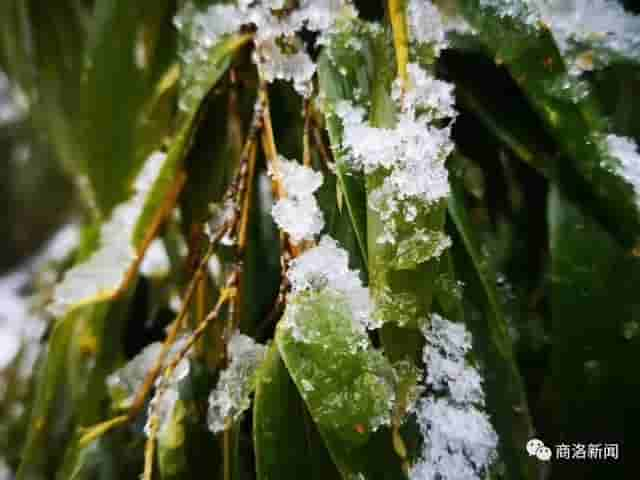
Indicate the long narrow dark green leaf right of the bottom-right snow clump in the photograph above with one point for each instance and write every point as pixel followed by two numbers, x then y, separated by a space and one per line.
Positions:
pixel 484 315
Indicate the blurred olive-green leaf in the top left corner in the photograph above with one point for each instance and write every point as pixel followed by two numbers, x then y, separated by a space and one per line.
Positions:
pixel 42 47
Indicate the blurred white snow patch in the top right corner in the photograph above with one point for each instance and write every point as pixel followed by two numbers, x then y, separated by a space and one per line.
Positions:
pixel 591 33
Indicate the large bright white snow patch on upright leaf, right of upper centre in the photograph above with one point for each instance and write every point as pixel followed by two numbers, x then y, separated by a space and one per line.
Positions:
pixel 414 151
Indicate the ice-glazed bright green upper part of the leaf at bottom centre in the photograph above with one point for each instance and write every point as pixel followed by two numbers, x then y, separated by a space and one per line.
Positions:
pixel 344 381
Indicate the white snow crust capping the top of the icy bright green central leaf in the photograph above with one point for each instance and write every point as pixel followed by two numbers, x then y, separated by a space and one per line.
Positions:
pixel 327 266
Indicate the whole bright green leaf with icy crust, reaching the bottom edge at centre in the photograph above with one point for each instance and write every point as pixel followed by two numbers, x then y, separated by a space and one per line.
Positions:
pixel 346 384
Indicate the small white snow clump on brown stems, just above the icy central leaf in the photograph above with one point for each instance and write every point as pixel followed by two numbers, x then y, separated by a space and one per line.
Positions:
pixel 298 214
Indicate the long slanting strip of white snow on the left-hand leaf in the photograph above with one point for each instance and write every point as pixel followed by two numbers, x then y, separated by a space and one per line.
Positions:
pixel 106 269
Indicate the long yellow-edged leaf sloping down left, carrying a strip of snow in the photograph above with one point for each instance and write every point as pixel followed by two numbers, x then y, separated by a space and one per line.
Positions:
pixel 133 224
